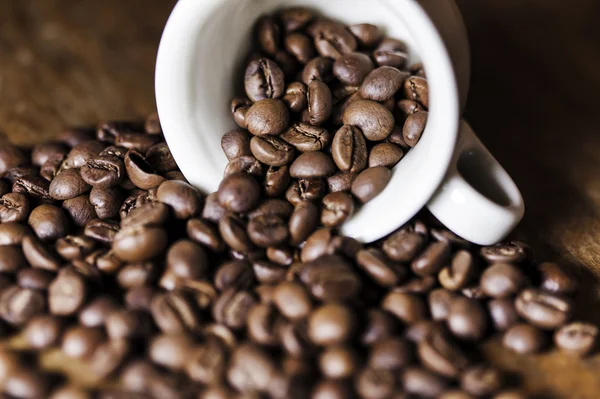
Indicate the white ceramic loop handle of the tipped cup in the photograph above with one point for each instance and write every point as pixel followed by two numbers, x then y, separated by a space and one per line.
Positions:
pixel 477 199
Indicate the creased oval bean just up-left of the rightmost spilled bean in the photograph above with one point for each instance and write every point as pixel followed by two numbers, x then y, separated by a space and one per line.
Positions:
pixel 542 309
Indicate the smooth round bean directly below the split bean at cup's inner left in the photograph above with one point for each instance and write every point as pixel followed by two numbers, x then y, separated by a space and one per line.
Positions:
pixel 268 116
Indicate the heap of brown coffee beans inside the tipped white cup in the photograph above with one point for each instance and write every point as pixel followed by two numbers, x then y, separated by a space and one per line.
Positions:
pixel 328 110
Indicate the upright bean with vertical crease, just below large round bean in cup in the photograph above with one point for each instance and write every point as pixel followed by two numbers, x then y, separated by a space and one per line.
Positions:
pixel 349 149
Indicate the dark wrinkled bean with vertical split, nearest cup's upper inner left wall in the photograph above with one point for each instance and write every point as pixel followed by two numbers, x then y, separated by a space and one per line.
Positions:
pixel 263 80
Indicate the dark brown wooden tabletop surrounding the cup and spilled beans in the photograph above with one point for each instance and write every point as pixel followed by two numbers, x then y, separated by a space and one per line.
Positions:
pixel 534 101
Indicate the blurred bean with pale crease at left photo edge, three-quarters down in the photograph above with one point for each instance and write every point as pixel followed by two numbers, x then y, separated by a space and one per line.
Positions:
pixel 19 305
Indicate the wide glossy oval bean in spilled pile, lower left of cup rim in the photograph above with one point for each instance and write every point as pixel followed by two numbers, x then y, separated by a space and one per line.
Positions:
pixel 138 244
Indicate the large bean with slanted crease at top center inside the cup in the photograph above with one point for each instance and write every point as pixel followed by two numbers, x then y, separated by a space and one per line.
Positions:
pixel 332 39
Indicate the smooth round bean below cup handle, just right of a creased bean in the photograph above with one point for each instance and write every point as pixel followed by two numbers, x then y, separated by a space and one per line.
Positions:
pixel 501 280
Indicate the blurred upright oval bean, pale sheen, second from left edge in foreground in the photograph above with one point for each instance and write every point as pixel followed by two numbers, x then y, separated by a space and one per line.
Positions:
pixel 67 292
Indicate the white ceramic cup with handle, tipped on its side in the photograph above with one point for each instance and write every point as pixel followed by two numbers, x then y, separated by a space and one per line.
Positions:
pixel 200 61
